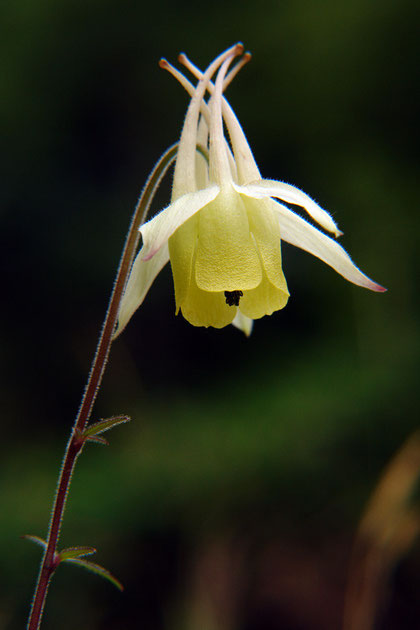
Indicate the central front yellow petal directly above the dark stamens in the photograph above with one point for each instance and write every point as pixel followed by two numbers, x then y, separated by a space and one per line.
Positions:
pixel 227 259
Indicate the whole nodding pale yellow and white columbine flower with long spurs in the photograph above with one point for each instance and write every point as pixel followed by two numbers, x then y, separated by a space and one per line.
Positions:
pixel 222 230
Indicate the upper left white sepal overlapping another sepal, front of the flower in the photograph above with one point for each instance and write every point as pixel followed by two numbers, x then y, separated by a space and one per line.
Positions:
pixel 157 231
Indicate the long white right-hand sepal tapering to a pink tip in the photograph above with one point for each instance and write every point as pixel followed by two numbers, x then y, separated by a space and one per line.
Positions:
pixel 298 232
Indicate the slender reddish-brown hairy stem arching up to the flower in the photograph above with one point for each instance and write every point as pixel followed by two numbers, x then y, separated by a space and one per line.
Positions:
pixel 76 441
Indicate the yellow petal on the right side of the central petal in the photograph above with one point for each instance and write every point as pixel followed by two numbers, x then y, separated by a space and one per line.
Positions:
pixel 264 226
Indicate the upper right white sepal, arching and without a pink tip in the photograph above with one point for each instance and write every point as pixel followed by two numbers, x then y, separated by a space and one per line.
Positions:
pixel 290 194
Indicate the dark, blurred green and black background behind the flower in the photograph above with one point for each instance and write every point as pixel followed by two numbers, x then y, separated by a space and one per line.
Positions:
pixel 231 500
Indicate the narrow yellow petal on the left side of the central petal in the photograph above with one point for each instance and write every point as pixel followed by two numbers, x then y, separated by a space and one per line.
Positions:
pixel 181 252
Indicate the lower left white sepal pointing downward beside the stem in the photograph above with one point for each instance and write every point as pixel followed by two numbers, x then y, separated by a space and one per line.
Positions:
pixel 139 282
